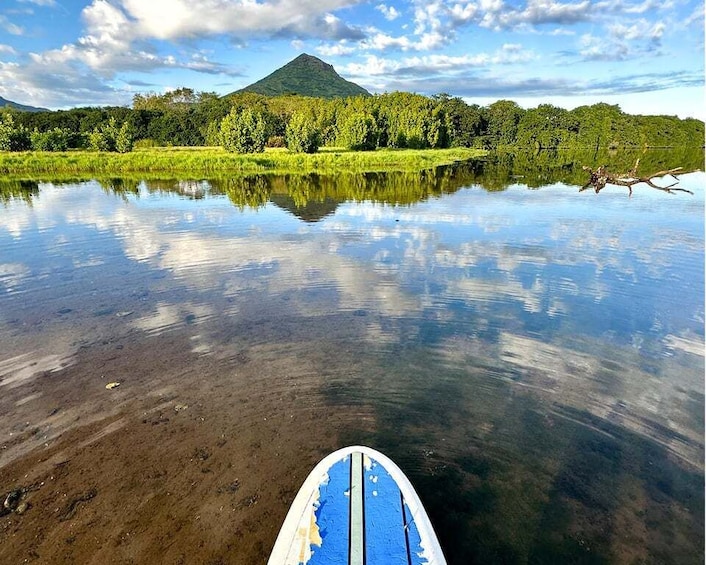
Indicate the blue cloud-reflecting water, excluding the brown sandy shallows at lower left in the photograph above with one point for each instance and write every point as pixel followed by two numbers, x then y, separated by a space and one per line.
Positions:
pixel 533 358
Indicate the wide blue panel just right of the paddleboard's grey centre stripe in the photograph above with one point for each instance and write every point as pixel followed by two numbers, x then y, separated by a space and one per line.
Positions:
pixel 384 522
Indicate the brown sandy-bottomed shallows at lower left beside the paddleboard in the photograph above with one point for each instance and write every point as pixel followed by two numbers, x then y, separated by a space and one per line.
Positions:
pixel 189 460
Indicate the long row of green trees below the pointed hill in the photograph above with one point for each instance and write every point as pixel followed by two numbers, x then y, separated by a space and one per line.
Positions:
pixel 249 122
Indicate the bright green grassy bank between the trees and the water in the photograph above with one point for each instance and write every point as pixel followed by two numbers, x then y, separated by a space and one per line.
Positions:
pixel 213 161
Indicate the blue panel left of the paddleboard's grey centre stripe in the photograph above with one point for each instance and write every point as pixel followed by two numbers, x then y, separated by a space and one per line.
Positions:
pixel 332 517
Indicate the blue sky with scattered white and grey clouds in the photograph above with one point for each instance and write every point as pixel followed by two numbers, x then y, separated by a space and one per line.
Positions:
pixel 647 56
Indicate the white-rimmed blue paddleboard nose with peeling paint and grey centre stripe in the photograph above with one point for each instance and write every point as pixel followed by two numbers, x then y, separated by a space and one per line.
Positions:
pixel 356 508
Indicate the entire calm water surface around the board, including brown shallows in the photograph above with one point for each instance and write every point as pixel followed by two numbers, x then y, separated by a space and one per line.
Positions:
pixel 532 358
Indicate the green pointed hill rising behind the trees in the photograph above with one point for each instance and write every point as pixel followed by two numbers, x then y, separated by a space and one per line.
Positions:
pixel 308 76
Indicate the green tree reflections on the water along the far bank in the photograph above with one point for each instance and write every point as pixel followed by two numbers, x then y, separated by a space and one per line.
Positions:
pixel 316 190
